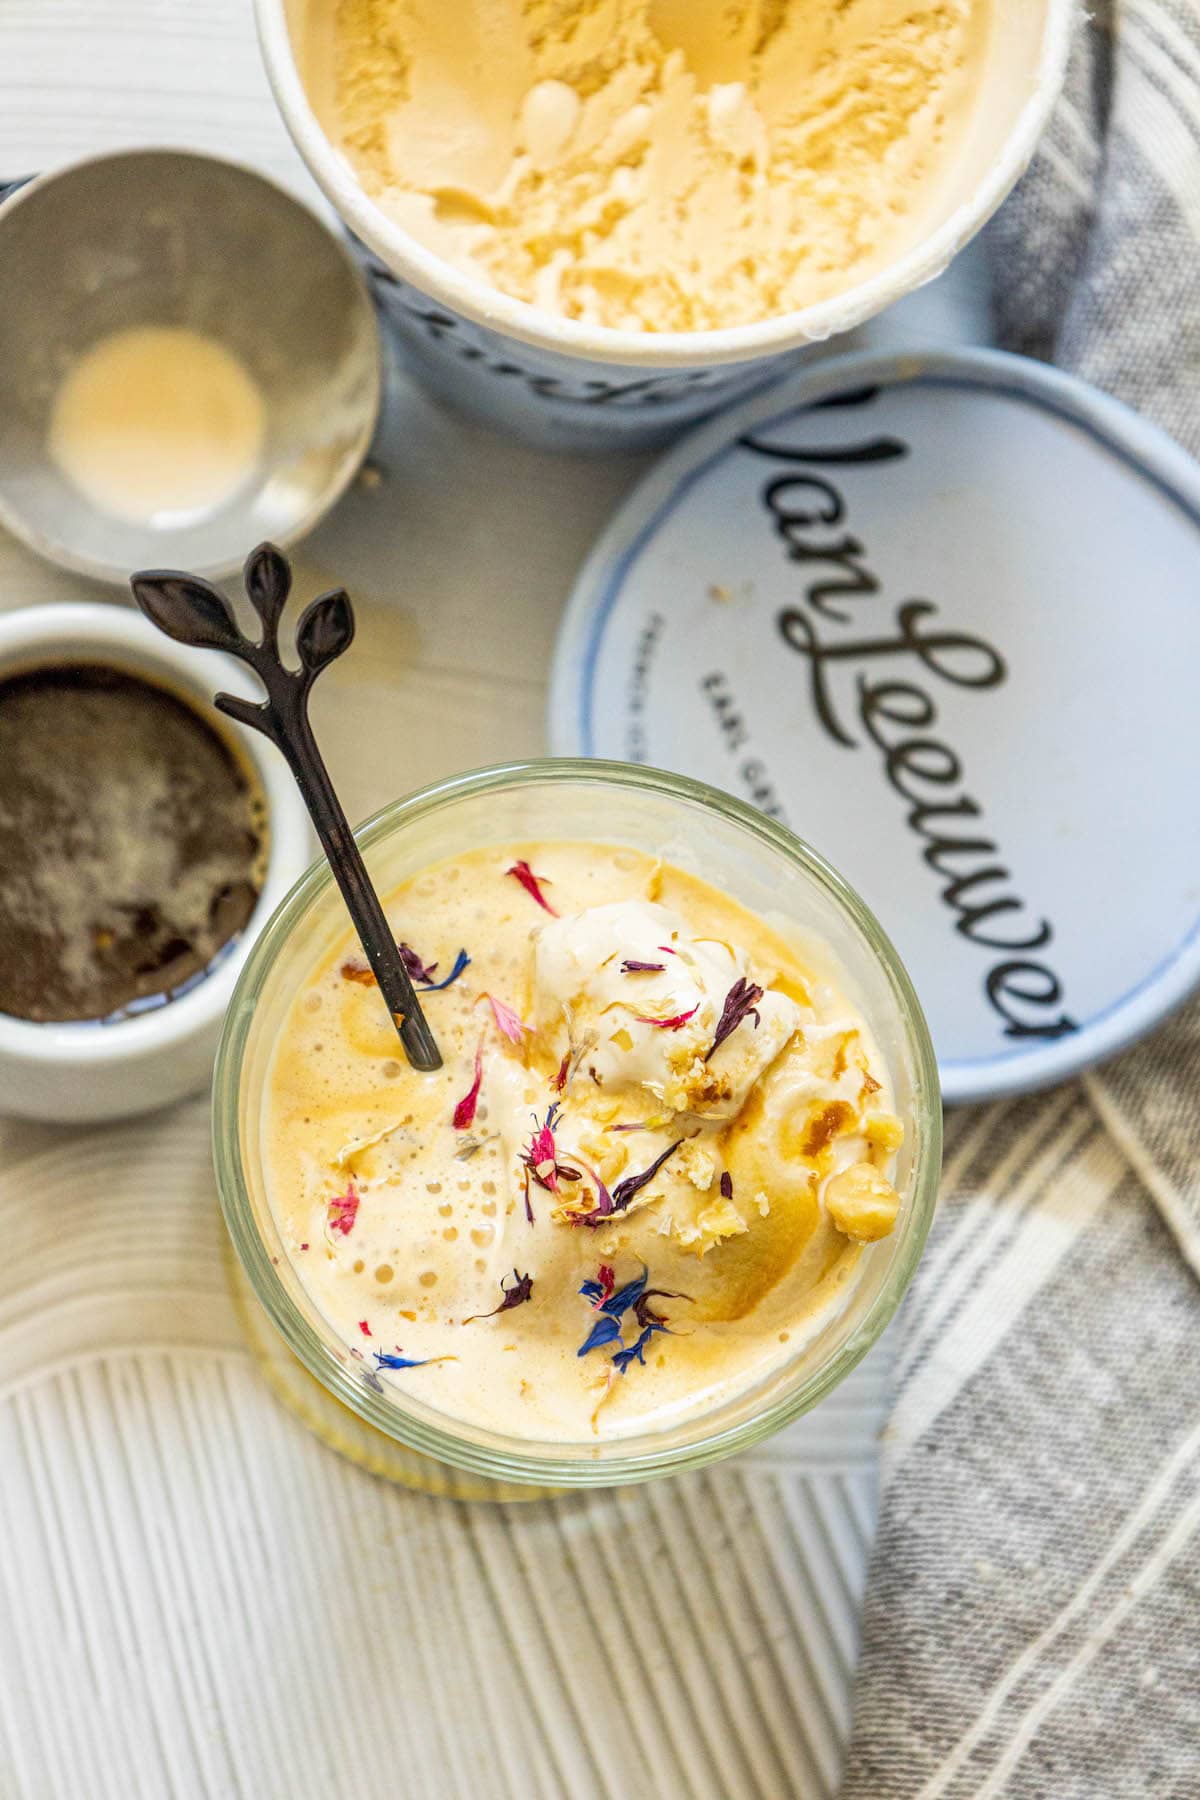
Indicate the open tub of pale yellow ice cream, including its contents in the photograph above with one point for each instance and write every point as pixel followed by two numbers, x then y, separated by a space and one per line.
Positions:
pixel 564 332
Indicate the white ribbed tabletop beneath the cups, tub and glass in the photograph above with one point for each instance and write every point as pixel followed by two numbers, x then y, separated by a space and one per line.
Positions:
pixel 197 1597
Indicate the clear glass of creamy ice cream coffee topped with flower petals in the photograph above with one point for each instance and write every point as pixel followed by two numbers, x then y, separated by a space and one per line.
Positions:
pixel 674 1176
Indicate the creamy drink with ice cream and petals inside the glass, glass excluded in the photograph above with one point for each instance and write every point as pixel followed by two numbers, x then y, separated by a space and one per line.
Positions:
pixel 647 1095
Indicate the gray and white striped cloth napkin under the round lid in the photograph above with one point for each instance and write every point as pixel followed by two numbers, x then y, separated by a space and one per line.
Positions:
pixel 1034 1608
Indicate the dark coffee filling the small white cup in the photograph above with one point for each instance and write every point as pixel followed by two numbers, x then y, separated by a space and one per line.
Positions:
pixel 134 843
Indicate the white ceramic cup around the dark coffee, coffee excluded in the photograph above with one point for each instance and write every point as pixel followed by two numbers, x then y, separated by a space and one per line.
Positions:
pixel 78 1074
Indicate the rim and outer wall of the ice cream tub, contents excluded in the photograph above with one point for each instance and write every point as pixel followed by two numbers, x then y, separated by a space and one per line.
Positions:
pixel 566 384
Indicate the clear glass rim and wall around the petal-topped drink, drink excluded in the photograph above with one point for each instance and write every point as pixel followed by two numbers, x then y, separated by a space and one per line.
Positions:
pixel 737 849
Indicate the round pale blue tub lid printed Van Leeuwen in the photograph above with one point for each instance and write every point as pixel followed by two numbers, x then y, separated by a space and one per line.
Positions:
pixel 942 616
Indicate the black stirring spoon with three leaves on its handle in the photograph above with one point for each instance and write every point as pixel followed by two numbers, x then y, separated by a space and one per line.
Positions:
pixel 193 613
